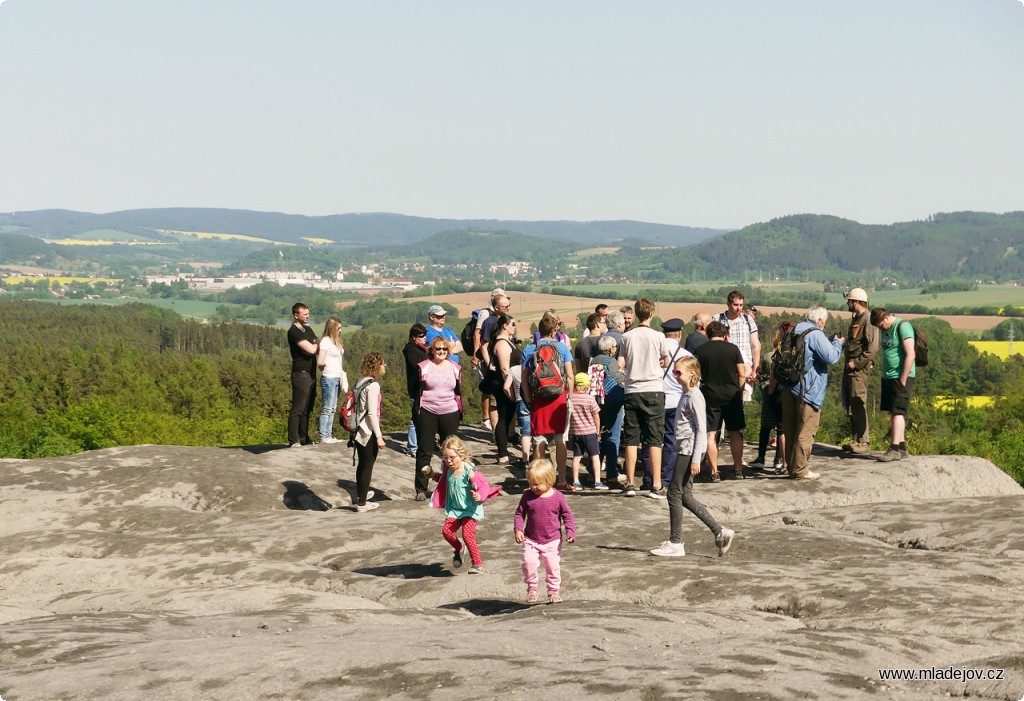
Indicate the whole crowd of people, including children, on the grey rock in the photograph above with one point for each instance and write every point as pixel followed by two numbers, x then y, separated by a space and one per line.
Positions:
pixel 626 398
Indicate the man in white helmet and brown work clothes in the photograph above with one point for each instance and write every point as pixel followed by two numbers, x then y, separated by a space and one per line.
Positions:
pixel 862 347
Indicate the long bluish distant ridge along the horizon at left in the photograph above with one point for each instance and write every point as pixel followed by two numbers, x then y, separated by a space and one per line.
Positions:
pixel 347 230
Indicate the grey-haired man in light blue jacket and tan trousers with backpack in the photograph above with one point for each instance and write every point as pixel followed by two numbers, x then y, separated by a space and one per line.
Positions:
pixel 802 403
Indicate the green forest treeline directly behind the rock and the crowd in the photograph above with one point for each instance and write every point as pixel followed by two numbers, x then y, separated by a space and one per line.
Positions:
pixel 92 377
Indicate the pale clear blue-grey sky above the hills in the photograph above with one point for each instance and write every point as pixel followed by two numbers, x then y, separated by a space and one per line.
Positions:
pixel 698 113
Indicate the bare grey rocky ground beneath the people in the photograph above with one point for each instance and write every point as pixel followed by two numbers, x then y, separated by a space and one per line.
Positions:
pixel 225 574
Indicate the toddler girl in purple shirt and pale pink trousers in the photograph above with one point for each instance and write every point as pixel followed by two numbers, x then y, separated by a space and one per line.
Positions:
pixel 539 520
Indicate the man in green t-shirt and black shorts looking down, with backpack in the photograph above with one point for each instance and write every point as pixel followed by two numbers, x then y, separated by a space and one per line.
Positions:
pixel 899 371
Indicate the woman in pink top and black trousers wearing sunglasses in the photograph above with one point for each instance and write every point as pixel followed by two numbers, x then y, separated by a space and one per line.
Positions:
pixel 438 407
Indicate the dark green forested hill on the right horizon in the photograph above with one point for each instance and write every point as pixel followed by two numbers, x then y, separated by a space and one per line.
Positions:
pixel 963 244
